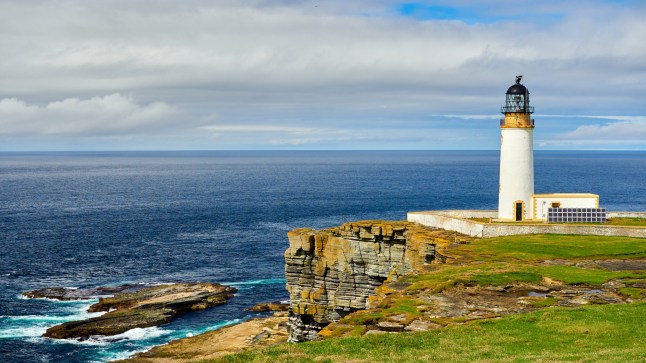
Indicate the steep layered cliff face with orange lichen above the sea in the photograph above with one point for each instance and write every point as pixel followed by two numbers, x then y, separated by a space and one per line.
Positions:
pixel 334 272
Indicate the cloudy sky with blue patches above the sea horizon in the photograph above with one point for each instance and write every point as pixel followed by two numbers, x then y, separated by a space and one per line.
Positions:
pixel 318 75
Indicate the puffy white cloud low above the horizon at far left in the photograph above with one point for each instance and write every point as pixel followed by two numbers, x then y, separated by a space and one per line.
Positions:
pixel 111 114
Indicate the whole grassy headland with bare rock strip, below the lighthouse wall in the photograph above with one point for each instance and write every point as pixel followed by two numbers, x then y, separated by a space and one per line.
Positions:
pixel 538 298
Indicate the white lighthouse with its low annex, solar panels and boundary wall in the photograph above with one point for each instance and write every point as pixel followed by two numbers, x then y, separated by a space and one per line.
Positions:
pixel 516 199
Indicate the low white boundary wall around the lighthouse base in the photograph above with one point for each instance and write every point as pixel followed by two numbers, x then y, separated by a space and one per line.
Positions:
pixel 458 221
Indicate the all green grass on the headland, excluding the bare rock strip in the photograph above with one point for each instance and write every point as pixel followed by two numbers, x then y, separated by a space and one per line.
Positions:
pixel 591 333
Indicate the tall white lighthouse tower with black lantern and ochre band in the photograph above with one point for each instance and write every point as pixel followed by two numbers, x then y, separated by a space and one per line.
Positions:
pixel 516 190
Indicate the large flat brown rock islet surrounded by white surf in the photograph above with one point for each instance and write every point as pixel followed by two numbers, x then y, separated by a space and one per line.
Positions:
pixel 146 307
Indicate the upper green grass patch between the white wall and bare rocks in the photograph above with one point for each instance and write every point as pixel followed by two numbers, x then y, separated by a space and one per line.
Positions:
pixel 512 259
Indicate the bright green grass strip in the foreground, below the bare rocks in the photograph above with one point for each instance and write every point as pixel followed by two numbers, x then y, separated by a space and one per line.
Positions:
pixel 604 333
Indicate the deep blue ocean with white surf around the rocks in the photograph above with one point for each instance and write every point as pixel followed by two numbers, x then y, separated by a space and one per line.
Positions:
pixel 108 218
